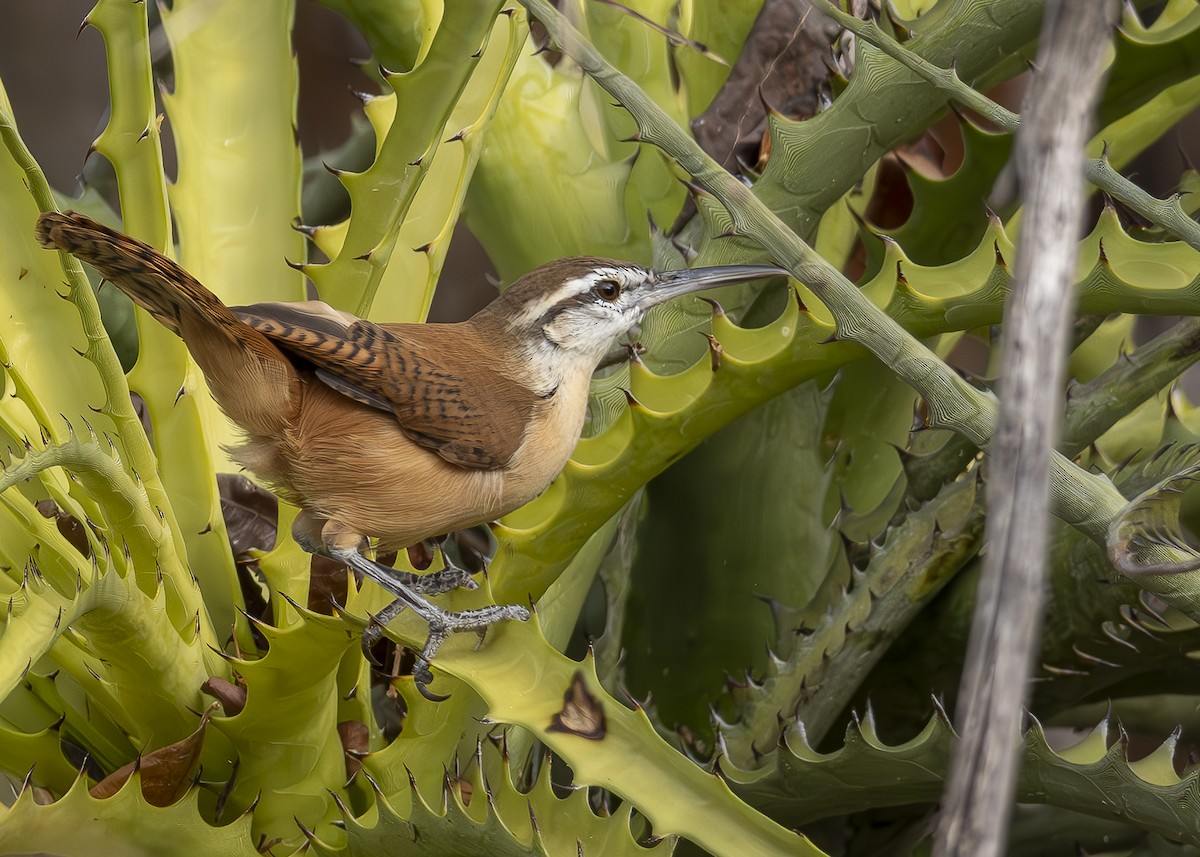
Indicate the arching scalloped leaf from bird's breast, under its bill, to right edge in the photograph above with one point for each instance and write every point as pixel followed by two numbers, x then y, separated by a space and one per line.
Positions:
pixel 675 412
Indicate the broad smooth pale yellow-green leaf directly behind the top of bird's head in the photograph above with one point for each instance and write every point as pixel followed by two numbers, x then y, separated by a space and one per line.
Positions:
pixel 593 188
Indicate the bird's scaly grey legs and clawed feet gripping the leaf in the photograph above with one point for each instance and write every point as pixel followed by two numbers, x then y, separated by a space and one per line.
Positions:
pixel 410 591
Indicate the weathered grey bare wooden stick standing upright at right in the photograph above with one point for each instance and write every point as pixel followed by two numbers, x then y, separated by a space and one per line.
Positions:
pixel 1009 610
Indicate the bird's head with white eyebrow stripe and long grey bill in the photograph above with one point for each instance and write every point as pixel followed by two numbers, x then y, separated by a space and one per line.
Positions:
pixel 579 307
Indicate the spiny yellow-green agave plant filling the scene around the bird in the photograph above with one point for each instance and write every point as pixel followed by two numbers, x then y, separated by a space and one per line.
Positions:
pixel 175 674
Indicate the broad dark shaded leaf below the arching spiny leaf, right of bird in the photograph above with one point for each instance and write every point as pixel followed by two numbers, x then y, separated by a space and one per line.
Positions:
pixel 753 526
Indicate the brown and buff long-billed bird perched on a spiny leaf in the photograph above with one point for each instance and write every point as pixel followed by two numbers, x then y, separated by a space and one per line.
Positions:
pixel 395 434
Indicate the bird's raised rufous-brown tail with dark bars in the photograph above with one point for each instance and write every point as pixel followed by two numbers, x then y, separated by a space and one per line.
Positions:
pixel 251 380
